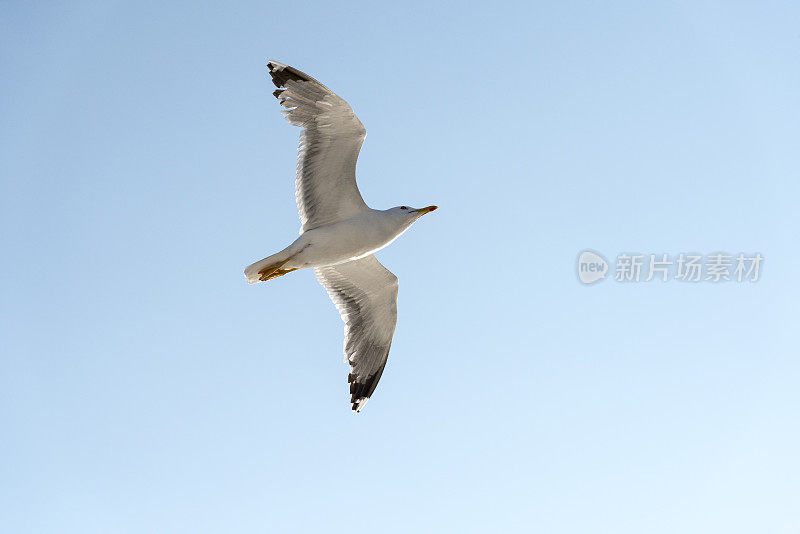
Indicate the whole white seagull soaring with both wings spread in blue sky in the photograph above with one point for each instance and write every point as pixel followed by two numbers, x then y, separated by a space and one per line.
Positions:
pixel 339 233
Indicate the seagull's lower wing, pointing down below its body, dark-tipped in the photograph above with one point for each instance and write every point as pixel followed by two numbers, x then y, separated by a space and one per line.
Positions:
pixel 365 293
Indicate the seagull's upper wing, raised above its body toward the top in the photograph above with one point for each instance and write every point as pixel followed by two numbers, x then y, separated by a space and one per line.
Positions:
pixel 325 185
